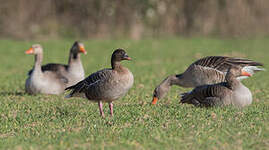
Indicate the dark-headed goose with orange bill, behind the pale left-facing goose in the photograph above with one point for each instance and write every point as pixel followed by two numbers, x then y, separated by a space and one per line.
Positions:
pixel 73 71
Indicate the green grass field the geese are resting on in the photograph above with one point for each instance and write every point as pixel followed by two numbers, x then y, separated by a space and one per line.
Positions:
pixel 52 122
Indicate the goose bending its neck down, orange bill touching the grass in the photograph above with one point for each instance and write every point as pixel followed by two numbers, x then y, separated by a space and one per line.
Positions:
pixel 208 70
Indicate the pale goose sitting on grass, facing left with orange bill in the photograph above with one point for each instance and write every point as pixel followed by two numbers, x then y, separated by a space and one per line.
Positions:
pixel 46 82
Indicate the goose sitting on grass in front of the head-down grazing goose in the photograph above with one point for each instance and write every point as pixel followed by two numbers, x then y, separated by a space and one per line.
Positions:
pixel 231 92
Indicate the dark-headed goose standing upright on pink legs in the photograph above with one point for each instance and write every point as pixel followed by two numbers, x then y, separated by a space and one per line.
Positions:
pixel 106 85
